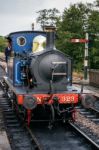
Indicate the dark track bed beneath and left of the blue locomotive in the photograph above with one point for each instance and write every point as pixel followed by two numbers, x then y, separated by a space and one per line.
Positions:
pixel 38 136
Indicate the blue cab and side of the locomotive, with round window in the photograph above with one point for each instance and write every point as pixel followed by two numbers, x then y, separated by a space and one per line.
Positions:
pixel 23 43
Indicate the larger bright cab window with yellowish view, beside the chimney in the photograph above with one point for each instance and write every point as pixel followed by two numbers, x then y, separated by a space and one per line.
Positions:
pixel 39 43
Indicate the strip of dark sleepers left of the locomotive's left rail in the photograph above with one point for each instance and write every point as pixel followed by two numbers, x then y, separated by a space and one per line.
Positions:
pixel 19 137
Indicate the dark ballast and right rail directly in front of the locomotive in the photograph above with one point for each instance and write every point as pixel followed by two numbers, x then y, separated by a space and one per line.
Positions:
pixel 69 137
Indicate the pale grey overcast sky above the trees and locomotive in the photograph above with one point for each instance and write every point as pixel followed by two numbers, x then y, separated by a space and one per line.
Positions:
pixel 19 14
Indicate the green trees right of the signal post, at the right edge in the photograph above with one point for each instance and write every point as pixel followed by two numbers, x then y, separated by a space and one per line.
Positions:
pixel 93 22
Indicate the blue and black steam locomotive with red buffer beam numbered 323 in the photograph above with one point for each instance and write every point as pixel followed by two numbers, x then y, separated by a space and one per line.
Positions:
pixel 39 78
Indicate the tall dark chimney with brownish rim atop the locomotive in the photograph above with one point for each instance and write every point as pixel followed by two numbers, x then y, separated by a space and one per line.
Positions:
pixel 50 35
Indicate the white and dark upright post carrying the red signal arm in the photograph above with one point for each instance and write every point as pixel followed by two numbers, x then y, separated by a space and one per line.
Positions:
pixel 86 58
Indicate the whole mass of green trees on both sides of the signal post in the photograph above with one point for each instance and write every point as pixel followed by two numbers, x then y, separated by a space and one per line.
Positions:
pixel 77 20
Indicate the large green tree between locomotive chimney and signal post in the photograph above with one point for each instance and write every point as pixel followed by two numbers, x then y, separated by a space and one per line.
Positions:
pixel 72 26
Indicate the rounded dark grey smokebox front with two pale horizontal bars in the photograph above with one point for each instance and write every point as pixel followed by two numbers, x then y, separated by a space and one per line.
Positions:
pixel 52 66
